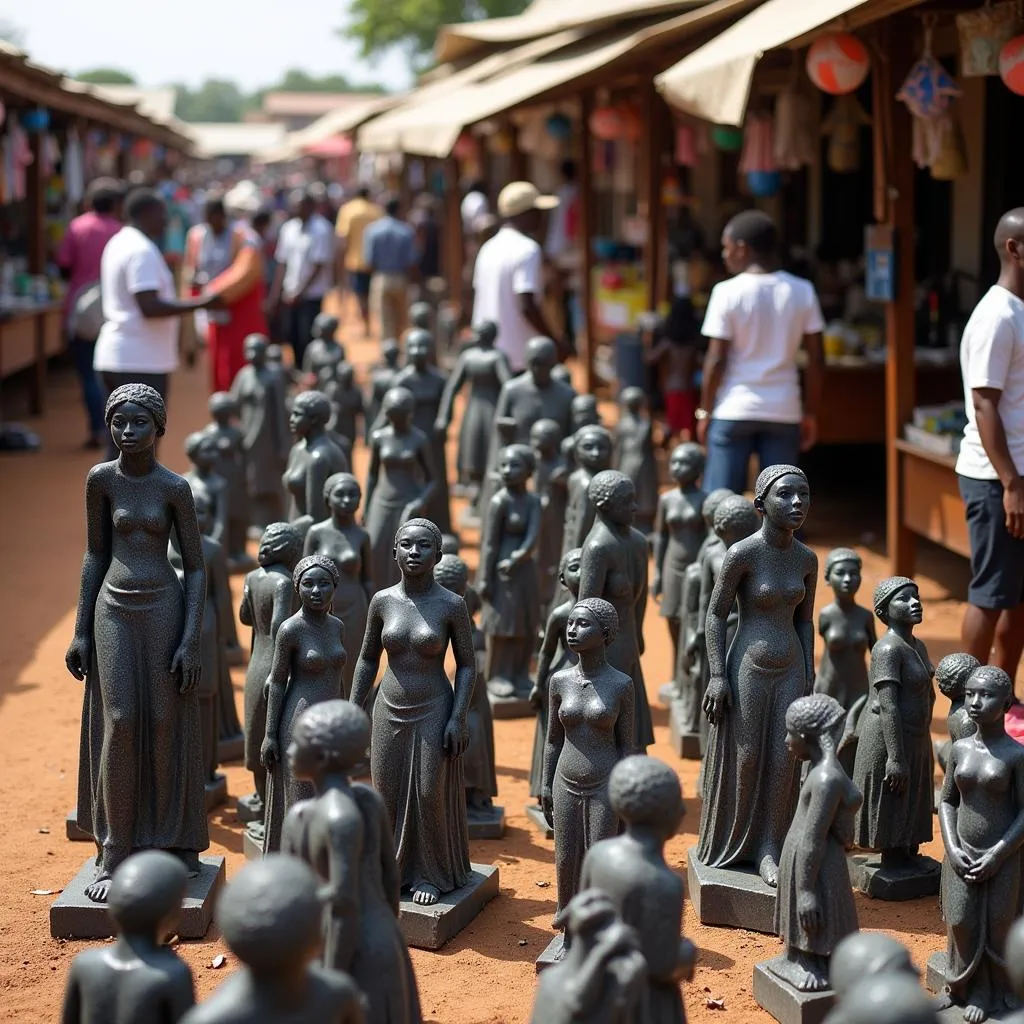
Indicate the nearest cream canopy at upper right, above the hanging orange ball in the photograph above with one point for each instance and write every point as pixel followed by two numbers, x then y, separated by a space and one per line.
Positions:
pixel 714 82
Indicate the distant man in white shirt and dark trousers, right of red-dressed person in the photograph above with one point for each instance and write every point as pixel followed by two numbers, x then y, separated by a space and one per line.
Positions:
pixel 306 268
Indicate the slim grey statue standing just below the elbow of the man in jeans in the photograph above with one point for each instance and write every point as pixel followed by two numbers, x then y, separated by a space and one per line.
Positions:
pixel 679 532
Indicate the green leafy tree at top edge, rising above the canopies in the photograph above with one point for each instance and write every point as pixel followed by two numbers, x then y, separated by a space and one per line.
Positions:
pixel 413 25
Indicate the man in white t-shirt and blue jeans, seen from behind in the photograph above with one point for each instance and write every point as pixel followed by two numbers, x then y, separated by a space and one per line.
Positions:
pixel 756 324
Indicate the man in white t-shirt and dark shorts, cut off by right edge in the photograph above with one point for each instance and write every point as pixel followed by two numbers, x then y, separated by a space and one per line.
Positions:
pixel 991 466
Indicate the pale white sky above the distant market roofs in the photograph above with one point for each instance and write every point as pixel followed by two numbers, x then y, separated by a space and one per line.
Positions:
pixel 251 42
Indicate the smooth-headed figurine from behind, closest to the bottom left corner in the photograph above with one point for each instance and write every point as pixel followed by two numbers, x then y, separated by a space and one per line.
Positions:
pixel 138 978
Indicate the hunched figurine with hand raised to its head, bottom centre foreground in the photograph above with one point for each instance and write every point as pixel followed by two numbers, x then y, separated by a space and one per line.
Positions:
pixel 604 976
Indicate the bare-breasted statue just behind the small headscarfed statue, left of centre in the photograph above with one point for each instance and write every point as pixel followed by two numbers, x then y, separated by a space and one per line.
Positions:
pixel 340 539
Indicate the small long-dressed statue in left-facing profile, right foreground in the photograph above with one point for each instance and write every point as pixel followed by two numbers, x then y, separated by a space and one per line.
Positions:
pixel 816 910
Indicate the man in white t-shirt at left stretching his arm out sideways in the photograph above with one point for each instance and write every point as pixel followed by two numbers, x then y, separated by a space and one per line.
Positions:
pixel 139 343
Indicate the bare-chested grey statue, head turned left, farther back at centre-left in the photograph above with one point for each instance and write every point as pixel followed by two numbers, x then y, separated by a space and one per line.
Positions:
pixel 314 458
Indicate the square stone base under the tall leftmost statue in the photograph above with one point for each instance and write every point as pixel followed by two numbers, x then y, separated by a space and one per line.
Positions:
pixel 74 916
